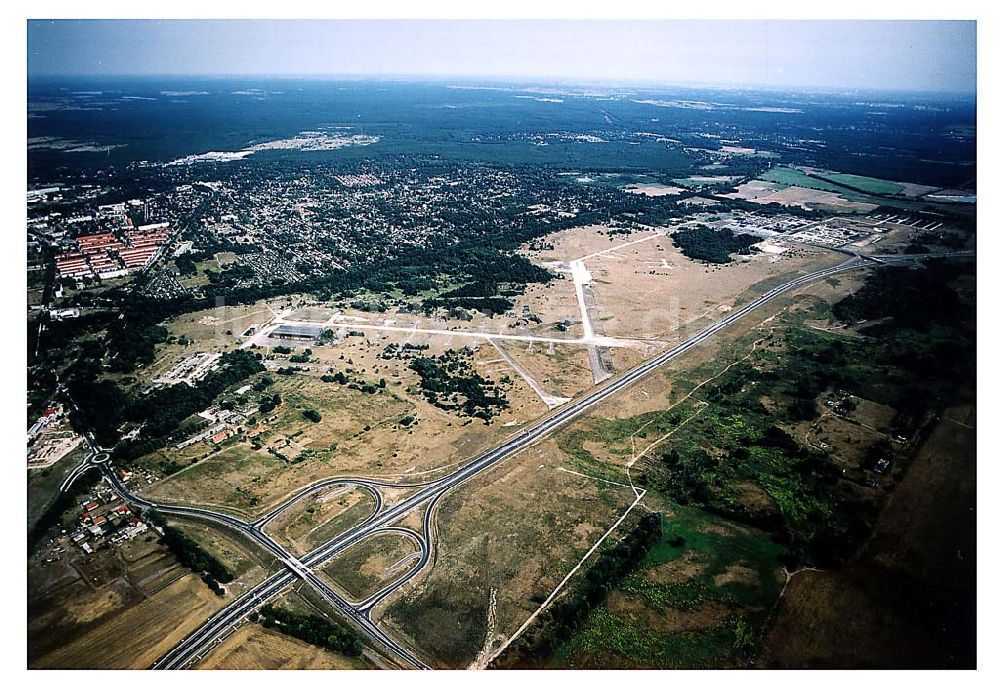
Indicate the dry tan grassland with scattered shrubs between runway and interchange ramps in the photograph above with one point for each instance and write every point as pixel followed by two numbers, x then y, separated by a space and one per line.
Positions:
pixel 360 434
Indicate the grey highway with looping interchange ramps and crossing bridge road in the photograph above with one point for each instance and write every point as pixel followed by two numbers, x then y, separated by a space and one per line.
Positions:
pixel 425 496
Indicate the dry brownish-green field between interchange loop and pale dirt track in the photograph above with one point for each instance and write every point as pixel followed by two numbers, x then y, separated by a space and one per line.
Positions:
pixel 503 543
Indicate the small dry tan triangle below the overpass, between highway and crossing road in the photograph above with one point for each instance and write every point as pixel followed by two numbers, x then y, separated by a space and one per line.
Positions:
pixel 253 647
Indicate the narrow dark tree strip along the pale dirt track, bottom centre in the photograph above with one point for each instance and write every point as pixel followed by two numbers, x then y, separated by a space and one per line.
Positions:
pixel 561 619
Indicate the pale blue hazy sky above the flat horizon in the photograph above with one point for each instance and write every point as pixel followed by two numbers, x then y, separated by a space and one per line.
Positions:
pixel 879 55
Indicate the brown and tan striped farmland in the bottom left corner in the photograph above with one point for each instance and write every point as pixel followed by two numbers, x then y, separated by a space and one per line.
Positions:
pixel 117 608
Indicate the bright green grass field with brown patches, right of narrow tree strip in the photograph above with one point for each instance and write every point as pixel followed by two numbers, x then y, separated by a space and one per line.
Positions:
pixel 698 600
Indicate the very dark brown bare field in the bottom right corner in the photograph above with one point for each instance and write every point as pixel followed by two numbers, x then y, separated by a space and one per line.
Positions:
pixel 907 598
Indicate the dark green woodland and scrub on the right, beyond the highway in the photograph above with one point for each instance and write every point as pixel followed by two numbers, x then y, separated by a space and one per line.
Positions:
pixel 918 354
